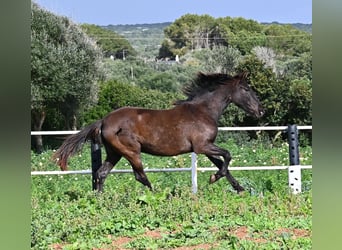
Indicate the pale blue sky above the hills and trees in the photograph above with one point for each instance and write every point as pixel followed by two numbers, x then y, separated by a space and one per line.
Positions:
pixel 106 12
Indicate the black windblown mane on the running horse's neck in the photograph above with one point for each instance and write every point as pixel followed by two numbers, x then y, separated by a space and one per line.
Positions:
pixel 203 83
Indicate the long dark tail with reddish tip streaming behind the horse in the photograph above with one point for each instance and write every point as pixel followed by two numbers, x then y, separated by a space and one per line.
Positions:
pixel 74 143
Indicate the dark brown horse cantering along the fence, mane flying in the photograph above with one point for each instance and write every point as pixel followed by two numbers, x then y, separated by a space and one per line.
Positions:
pixel 190 126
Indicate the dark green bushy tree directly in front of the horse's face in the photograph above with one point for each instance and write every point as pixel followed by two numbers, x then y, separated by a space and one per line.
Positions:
pixel 286 100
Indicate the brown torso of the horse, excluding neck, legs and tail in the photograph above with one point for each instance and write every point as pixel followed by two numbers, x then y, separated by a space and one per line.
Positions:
pixel 159 132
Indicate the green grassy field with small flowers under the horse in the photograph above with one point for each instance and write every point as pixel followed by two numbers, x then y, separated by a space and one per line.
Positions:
pixel 66 212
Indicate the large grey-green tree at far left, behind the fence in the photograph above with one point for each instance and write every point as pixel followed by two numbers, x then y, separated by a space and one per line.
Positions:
pixel 65 66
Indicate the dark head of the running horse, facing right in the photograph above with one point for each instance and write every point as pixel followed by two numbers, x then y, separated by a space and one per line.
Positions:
pixel 244 97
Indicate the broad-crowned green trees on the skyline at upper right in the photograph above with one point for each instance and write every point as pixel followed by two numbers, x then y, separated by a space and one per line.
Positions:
pixel 192 32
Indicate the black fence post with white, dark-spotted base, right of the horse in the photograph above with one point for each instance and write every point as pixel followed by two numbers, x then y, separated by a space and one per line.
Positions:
pixel 294 170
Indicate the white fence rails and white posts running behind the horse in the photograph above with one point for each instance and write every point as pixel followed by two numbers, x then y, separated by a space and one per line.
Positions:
pixel 294 171
